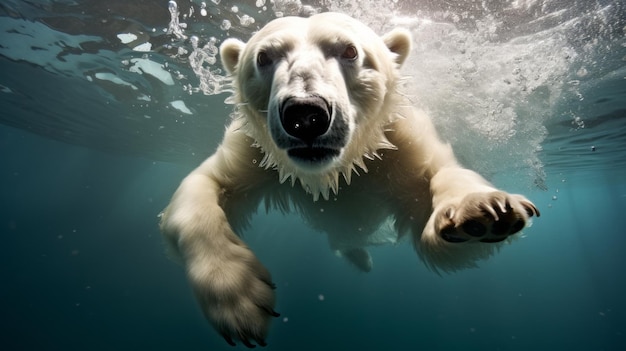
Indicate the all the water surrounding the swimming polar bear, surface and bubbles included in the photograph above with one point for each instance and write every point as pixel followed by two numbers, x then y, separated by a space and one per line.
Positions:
pixel 106 105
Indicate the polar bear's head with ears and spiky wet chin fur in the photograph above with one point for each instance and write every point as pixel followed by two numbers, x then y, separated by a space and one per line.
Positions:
pixel 316 94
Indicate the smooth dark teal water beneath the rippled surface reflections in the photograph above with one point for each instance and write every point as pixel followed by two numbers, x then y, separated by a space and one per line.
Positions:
pixel 83 268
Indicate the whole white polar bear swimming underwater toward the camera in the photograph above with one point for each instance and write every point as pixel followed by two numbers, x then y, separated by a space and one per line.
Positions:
pixel 321 128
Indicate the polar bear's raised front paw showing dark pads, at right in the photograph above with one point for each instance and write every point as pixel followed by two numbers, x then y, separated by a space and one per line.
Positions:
pixel 467 209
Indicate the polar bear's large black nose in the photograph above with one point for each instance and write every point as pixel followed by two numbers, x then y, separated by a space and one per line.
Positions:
pixel 305 118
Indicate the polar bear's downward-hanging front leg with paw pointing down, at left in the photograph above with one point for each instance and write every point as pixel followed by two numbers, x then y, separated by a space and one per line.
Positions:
pixel 233 288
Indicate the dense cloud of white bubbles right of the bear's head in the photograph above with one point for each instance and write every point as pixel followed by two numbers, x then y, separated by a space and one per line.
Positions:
pixel 487 97
